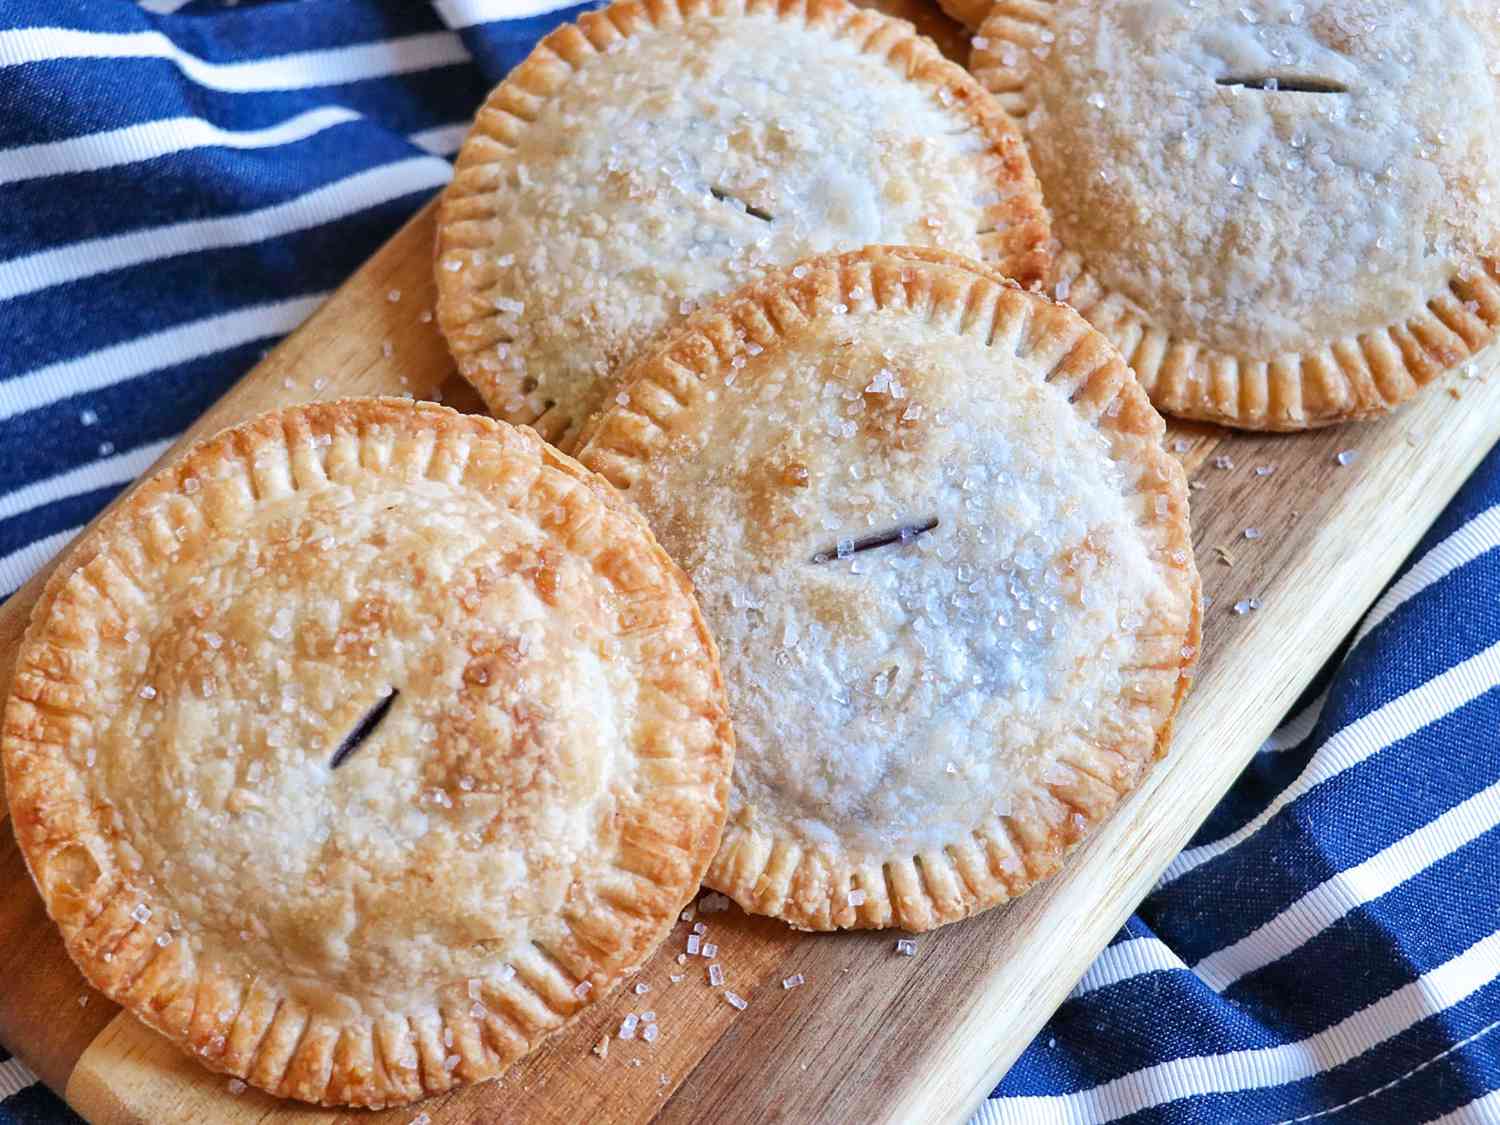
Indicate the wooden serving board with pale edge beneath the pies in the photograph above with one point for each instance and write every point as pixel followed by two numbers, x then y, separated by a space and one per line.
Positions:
pixel 872 1036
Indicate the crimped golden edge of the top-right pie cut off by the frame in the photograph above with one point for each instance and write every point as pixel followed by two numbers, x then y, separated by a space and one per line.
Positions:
pixel 1345 380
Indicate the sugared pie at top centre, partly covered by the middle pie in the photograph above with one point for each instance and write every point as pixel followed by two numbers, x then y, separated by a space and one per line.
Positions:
pixel 659 154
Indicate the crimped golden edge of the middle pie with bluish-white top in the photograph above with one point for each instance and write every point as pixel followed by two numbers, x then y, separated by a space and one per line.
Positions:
pixel 1001 860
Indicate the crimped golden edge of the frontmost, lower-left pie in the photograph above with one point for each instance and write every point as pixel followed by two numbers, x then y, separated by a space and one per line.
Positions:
pixel 272 1042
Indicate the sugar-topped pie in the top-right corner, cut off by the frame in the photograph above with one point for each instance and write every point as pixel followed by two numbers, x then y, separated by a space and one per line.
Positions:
pixel 1285 214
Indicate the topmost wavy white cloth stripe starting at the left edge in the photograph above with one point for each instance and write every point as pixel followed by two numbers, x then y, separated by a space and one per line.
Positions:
pixel 298 71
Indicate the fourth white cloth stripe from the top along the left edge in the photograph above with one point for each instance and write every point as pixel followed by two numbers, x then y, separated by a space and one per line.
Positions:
pixel 167 349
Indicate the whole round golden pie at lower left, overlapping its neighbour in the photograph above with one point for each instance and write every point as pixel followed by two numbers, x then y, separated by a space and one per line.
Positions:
pixel 365 746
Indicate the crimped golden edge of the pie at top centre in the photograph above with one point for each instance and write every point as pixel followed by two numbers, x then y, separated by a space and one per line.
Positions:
pixel 1024 248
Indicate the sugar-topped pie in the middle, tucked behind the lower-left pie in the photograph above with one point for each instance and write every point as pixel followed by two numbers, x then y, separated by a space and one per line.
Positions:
pixel 946 557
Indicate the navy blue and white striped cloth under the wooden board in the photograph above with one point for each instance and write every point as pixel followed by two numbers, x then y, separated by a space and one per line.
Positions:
pixel 181 188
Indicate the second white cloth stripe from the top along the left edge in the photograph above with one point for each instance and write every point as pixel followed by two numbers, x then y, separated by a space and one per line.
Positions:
pixel 151 140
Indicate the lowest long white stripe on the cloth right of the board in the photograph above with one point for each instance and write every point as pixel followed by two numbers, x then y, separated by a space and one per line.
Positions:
pixel 1259 1069
